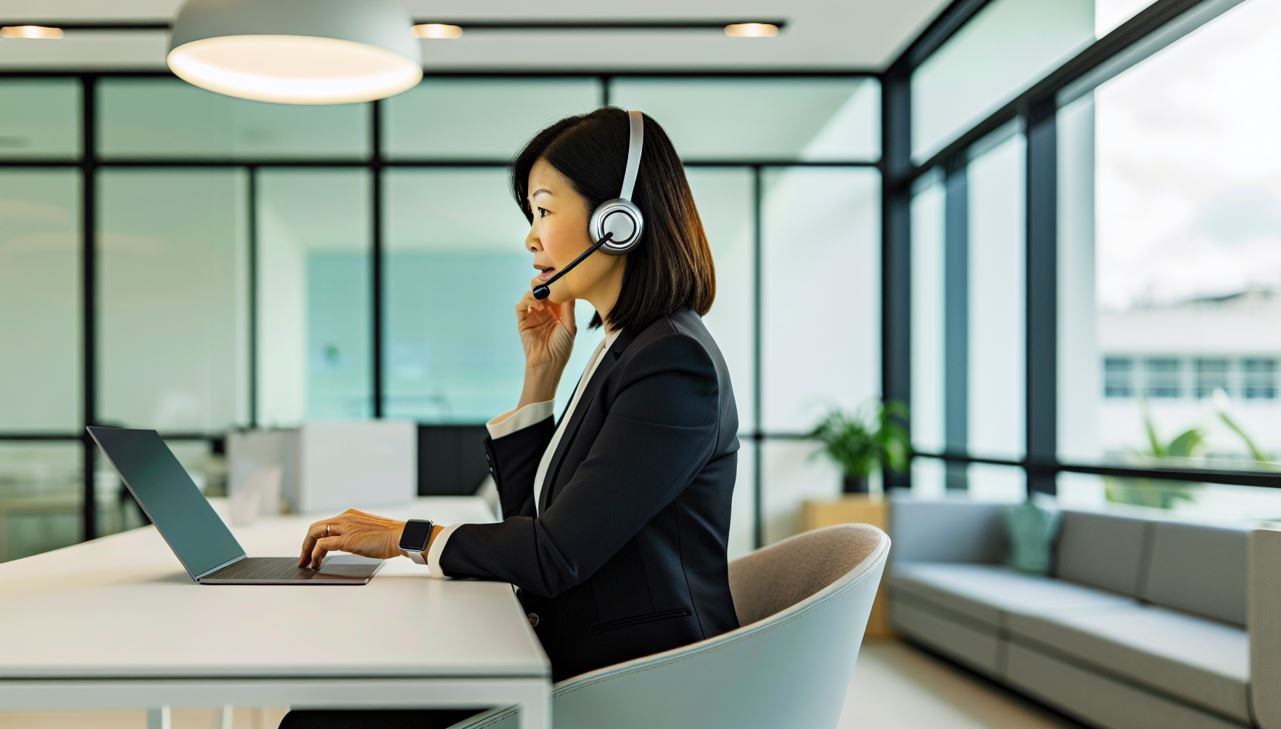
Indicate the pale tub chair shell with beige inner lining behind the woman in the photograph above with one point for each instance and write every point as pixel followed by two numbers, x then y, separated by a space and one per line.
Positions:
pixel 803 604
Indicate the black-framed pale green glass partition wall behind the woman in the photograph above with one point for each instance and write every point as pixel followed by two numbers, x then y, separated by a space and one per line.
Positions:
pixel 234 275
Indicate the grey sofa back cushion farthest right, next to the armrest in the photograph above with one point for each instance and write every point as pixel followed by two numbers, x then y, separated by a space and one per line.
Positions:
pixel 1200 569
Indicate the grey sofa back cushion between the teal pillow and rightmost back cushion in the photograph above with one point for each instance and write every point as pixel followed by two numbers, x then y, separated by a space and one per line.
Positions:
pixel 1101 550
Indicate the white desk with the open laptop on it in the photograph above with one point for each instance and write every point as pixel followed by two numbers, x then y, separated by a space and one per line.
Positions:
pixel 117 623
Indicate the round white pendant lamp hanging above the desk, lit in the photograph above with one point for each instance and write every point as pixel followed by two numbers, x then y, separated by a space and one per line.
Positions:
pixel 297 52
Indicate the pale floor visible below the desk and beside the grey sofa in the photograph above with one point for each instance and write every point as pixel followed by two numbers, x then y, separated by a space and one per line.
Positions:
pixel 895 687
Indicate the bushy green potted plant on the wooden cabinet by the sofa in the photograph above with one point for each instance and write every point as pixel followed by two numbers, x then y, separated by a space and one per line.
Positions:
pixel 870 439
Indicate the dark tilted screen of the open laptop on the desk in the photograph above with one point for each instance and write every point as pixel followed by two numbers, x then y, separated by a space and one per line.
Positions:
pixel 170 498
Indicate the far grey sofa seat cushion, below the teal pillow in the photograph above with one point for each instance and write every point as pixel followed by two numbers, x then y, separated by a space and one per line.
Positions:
pixel 984 593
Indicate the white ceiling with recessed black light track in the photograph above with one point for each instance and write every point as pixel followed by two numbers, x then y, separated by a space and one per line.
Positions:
pixel 819 35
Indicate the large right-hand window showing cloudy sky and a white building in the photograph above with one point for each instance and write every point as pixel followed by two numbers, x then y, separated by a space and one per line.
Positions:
pixel 1170 250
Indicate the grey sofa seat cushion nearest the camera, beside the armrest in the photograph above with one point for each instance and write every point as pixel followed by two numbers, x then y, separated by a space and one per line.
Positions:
pixel 1200 662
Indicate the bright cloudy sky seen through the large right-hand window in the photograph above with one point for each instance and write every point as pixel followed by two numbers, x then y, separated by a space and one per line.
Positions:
pixel 1188 154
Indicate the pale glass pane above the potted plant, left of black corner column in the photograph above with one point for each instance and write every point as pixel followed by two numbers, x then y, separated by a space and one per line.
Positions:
pixel 822 256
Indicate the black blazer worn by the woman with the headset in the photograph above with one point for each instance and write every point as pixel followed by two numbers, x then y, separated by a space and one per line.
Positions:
pixel 627 557
